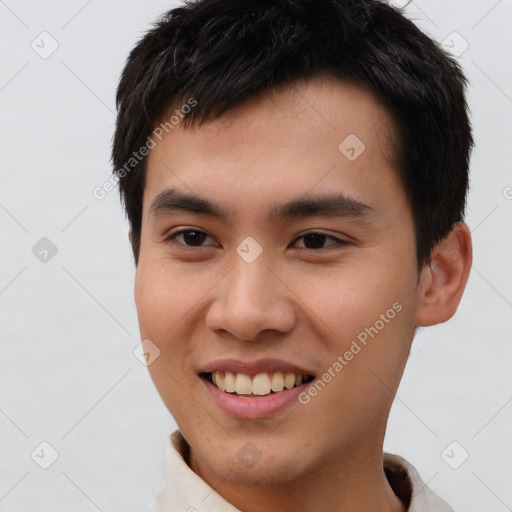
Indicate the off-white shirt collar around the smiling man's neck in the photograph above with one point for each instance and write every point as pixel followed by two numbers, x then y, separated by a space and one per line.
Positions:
pixel 185 491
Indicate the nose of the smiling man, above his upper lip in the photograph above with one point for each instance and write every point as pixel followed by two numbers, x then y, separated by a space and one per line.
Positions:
pixel 250 300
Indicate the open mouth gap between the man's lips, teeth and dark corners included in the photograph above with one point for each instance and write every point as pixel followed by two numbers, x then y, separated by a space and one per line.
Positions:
pixel 259 385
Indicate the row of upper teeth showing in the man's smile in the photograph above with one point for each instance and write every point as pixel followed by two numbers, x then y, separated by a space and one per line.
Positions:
pixel 261 384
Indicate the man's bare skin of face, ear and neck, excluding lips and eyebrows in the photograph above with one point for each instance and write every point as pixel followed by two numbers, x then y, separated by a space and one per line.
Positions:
pixel 203 302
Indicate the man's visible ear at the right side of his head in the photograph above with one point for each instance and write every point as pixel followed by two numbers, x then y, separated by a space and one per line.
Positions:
pixel 443 281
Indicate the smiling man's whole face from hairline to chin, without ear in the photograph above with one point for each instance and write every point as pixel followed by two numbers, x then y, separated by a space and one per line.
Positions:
pixel 293 257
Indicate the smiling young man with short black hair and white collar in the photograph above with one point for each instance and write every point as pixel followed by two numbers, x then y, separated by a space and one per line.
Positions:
pixel 295 176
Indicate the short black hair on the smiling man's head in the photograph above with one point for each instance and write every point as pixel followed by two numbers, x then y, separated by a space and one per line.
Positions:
pixel 220 53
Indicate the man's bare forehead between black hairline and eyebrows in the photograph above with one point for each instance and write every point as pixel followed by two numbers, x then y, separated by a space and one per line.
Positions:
pixel 319 135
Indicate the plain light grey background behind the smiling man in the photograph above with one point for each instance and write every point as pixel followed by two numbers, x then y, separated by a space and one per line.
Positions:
pixel 69 327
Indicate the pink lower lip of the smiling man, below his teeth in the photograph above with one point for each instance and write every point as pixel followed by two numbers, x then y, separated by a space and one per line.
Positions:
pixel 253 407
